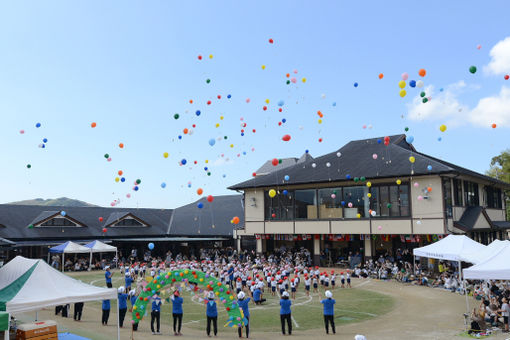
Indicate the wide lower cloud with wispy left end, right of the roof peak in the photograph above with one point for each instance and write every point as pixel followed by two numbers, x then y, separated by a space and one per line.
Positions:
pixel 446 108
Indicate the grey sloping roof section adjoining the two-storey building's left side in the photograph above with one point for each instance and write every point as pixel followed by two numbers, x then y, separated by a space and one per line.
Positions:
pixel 212 219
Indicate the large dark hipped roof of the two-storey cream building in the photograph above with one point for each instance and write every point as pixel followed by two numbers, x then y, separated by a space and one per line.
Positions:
pixel 355 160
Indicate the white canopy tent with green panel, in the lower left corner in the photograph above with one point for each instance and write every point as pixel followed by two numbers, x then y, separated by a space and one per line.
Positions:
pixel 31 284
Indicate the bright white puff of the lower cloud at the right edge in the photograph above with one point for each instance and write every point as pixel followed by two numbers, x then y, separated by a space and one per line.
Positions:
pixel 495 109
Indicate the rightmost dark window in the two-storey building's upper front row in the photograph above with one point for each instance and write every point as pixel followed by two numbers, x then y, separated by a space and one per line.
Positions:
pixel 390 200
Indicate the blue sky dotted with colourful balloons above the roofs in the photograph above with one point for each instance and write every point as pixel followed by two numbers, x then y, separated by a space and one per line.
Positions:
pixel 130 66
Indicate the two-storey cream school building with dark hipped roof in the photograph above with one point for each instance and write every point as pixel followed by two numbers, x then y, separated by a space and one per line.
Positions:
pixel 371 196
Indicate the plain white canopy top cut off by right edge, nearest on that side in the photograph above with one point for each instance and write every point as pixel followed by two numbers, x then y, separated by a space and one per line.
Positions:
pixel 496 267
